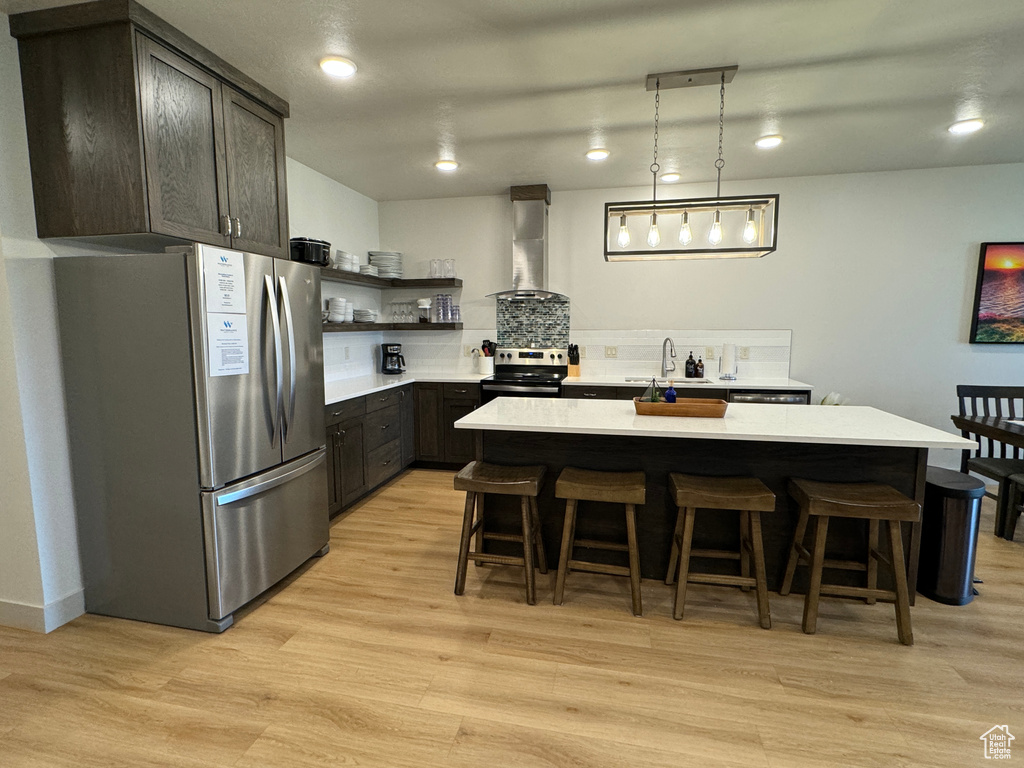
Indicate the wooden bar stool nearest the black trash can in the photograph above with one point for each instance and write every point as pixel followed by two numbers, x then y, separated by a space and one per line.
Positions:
pixel 871 502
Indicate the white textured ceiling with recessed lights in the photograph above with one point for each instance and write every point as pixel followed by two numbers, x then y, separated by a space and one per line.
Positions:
pixel 518 92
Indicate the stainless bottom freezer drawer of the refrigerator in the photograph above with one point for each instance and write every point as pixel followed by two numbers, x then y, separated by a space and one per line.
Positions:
pixel 260 531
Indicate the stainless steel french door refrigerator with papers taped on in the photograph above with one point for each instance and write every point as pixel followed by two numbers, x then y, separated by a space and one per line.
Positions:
pixel 195 391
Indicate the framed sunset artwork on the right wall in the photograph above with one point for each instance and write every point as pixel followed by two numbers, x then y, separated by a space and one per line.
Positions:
pixel 999 298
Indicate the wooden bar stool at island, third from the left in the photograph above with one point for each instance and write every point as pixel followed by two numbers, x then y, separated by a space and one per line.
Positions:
pixel 748 496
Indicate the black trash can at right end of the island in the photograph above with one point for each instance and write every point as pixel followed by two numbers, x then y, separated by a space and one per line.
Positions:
pixel 950 536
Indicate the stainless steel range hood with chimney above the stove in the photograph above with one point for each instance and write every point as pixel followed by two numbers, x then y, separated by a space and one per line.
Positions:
pixel 530 245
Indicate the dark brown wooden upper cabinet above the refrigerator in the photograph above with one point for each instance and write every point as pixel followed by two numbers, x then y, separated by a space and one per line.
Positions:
pixel 135 130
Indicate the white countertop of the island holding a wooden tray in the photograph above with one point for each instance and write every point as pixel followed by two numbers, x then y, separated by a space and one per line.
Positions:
pixel 844 425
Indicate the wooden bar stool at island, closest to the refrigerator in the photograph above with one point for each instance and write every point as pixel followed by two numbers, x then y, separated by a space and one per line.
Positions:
pixel 478 479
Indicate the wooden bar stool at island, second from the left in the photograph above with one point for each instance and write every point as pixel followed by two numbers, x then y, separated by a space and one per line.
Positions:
pixel 619 488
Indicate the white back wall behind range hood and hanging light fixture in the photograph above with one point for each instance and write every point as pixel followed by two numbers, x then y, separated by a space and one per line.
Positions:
pixel 875 275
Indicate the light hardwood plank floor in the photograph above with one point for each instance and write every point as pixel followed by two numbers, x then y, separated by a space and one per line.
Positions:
pixel 366 658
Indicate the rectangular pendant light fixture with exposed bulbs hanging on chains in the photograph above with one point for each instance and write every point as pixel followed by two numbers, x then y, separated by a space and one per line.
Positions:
pixel 732 227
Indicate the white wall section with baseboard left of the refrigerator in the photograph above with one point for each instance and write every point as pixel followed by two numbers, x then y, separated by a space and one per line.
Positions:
pixel 40 578
